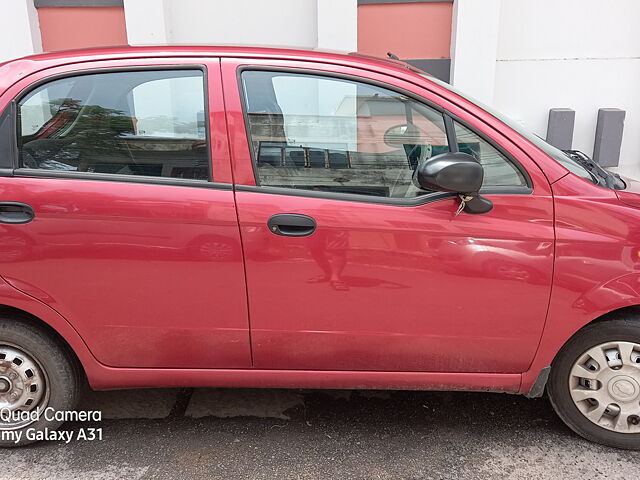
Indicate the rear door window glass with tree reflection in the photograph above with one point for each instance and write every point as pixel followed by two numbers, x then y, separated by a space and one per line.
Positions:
pixel 149 123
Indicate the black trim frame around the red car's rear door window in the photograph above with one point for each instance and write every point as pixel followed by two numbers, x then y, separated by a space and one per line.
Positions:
pixel 19 170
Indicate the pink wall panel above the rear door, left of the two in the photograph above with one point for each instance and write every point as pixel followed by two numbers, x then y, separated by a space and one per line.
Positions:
pixel 77 27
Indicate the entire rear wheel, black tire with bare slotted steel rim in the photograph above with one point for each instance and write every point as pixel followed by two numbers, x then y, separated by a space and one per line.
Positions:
pixel 36 373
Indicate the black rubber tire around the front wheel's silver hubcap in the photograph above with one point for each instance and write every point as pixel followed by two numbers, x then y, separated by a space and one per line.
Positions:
pixel 626 329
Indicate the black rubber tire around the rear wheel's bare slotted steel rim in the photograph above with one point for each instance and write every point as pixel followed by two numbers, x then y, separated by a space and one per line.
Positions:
pixel 62 372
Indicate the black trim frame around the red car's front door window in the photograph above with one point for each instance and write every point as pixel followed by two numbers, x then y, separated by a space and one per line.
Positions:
pixel 409 202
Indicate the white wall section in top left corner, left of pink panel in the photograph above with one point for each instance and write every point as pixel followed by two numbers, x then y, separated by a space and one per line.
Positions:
pixel 20 32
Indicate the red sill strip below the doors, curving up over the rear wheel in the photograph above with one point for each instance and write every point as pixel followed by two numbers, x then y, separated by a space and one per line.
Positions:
pixel 102 377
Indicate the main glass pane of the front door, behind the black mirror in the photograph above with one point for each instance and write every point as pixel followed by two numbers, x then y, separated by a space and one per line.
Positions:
pixel 320 133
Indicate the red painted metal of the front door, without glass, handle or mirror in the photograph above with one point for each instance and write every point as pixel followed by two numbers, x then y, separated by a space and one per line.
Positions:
pixel 425 288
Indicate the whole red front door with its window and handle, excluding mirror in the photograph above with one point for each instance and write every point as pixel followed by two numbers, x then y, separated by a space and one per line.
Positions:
pixel 349 265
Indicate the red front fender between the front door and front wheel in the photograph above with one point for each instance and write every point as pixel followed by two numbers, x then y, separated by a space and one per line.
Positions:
pixel 597 266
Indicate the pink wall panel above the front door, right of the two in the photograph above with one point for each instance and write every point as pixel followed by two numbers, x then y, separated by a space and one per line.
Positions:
pixel 410 30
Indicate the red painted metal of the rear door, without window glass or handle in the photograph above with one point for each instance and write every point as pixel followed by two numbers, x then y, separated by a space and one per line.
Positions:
pixel 141 253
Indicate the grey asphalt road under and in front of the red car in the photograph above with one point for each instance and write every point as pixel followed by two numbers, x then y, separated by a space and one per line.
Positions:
pixel 227 434
